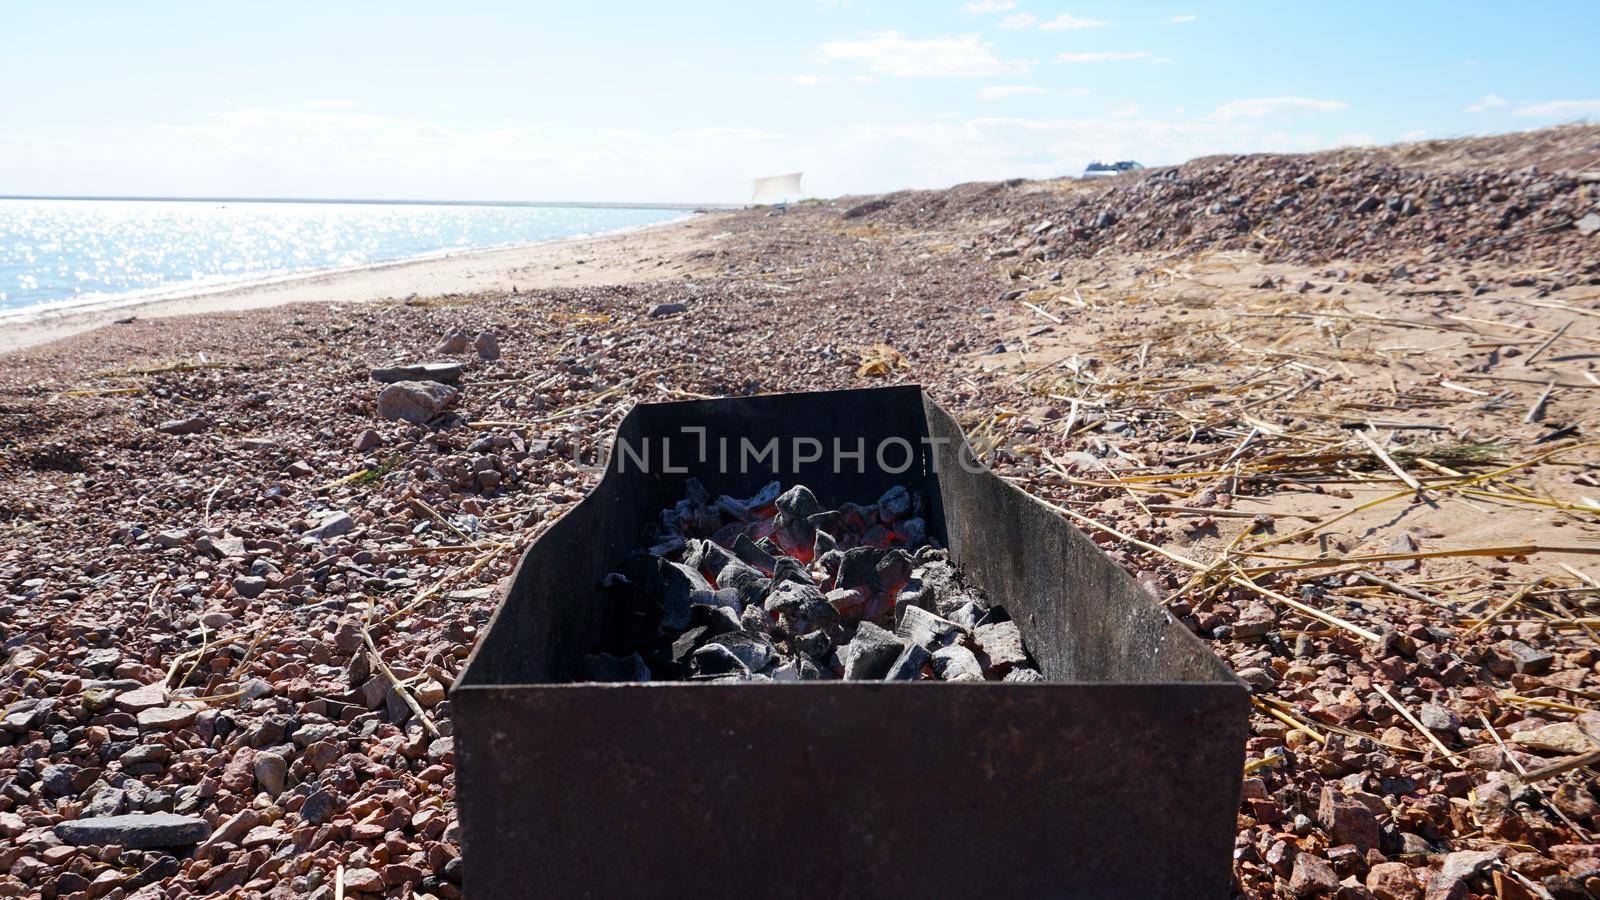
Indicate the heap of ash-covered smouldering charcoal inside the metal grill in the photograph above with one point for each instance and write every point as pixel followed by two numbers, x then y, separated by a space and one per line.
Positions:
pixel 778 589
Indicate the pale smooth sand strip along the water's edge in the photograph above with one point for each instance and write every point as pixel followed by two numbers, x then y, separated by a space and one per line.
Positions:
pixel 614 257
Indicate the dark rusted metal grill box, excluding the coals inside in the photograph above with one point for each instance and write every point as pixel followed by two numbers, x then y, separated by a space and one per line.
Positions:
pixel 1118 777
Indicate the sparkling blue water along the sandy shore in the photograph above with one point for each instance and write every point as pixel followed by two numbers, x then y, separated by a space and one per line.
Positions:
pixel 63 252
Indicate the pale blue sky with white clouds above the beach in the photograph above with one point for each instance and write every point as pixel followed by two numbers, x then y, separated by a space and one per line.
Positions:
pixel 687 102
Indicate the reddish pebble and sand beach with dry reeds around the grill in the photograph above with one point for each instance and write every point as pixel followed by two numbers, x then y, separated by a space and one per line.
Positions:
pixel 1338 412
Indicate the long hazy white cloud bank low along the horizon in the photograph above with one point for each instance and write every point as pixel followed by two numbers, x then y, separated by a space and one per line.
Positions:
pixel 290 151
